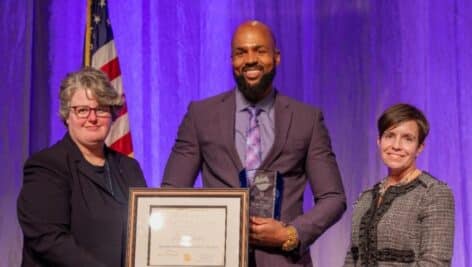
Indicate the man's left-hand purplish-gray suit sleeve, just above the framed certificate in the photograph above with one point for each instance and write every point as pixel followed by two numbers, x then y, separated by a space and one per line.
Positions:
pixel 185 159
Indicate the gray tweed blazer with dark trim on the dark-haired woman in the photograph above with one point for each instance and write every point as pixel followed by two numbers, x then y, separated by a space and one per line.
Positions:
pixel 413 226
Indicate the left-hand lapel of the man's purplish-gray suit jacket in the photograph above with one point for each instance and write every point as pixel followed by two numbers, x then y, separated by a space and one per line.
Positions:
pixel 227 121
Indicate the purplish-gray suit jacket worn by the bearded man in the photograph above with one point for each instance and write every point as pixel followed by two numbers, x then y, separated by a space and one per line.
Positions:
pixel 301 153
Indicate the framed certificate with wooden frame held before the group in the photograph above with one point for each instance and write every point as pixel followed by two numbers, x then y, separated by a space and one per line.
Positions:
pixel 187 227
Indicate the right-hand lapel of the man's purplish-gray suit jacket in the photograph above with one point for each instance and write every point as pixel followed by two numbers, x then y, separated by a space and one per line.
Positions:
pixel 283 119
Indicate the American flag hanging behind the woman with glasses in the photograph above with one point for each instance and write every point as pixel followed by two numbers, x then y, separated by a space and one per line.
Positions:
pixel 100 53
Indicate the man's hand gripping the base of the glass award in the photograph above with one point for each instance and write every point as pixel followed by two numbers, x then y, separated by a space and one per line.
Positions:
pixel 267 232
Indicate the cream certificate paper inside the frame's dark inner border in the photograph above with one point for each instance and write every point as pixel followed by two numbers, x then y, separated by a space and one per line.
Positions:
pixel 190 236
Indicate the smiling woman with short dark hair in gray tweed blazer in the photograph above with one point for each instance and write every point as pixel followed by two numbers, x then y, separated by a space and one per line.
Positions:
pixel 407 219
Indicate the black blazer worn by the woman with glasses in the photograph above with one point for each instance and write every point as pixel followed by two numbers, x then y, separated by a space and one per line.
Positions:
pixel 68 214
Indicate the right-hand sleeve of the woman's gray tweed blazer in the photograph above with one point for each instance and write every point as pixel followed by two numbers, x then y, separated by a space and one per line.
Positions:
pixel 437 227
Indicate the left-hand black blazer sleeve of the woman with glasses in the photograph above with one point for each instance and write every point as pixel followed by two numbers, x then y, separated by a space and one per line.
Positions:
pixel 44 216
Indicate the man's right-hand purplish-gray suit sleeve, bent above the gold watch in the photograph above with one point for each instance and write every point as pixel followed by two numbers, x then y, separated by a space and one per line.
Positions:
pixel 325 180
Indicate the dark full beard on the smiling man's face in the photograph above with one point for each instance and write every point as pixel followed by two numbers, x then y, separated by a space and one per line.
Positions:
pixel 254 93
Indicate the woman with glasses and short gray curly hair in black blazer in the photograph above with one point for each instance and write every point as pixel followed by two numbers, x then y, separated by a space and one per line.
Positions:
pixel 72 207
